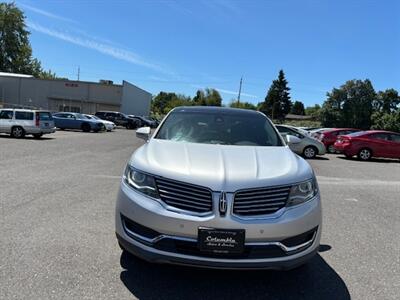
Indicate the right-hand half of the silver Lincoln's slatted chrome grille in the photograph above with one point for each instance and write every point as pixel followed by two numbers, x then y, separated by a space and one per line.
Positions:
pixel 262 201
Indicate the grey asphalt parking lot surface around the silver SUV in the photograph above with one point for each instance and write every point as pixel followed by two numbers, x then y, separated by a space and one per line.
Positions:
pixel 57 230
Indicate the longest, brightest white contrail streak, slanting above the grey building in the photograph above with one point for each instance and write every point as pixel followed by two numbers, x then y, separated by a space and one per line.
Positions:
pixel 109 50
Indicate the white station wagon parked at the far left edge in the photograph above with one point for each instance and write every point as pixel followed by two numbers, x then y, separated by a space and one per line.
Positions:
pixel 21 122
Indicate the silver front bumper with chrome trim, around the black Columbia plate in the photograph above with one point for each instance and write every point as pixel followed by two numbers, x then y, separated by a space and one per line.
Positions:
pixel 171 237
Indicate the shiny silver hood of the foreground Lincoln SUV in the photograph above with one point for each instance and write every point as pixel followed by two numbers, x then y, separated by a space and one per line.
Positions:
pixel 221 167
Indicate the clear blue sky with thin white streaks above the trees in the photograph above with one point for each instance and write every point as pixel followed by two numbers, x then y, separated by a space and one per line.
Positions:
pixel 183 45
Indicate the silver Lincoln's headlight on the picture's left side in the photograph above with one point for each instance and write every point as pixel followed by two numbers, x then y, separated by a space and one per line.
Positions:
pixel 141 182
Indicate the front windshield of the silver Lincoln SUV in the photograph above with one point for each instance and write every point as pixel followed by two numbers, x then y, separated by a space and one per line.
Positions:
pixel 219 128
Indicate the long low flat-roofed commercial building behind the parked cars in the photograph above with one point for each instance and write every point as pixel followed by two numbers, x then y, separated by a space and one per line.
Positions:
pixel 18 90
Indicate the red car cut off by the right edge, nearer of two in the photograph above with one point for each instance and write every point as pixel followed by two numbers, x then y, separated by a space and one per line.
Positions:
pixel 371 143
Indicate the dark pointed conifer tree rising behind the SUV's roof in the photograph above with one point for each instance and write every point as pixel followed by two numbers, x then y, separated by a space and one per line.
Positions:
pixel 277 103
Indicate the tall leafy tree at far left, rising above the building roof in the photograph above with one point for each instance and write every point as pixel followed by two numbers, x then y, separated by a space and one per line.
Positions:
pixel 15 49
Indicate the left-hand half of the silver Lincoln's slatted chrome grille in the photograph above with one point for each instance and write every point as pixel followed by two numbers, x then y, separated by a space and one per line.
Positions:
pixel 184 196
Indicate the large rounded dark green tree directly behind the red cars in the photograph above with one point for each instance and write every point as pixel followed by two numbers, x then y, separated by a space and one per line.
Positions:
pixel 351 105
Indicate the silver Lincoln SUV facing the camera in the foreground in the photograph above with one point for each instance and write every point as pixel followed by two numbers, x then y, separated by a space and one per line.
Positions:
pixel 218 187
